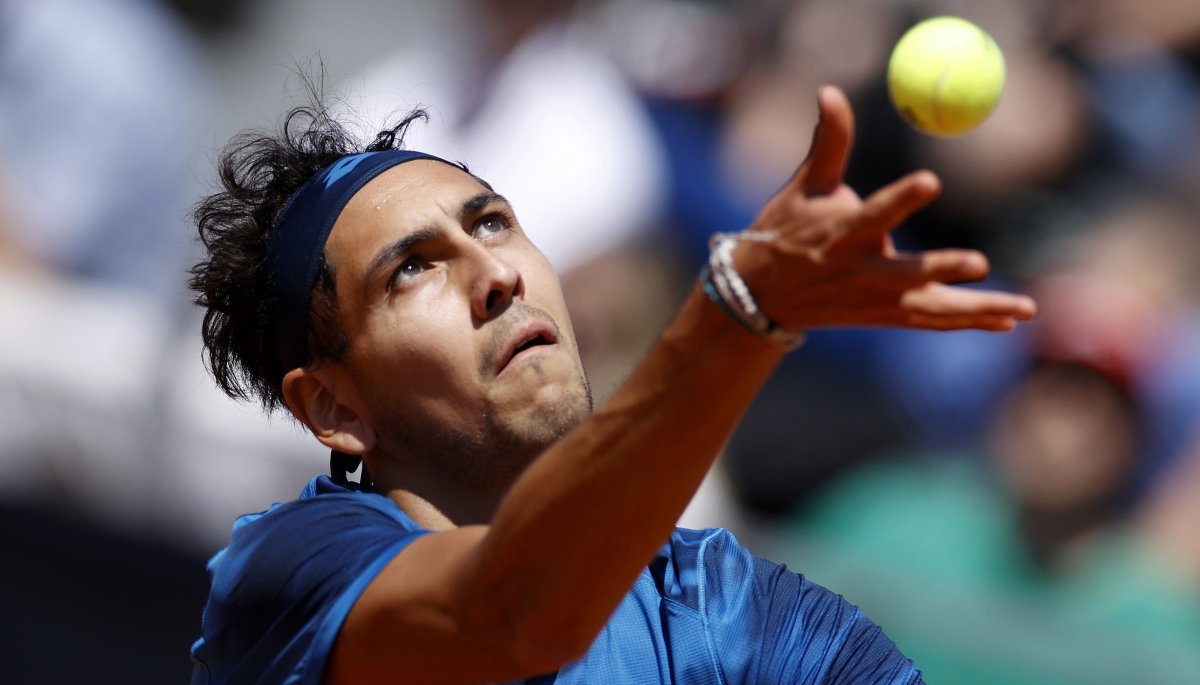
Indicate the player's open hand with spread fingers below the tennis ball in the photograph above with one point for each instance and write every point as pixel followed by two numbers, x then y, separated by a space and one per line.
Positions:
pixel 835 263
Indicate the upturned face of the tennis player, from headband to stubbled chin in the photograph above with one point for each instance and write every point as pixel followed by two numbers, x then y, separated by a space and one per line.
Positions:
pixel 461 350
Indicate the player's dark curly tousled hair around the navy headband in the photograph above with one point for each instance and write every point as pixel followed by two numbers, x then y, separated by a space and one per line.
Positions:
pixel 259 173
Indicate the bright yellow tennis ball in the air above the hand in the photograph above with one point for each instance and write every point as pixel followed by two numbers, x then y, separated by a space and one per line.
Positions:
pixel 946 76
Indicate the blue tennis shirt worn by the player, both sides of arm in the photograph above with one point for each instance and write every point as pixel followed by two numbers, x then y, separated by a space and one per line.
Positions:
pixel 704 611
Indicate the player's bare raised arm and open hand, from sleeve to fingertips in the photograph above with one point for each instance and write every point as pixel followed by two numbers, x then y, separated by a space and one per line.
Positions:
pixel 532 591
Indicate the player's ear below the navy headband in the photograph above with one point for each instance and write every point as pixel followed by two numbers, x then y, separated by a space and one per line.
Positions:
pixel 313 395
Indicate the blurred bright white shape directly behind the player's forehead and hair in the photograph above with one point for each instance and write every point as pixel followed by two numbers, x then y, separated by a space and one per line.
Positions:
pixel 554 128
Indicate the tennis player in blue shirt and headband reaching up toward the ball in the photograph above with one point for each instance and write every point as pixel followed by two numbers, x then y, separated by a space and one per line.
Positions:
pixel 499 530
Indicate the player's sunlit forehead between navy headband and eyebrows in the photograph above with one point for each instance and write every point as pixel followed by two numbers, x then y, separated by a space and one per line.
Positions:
pixel 400 201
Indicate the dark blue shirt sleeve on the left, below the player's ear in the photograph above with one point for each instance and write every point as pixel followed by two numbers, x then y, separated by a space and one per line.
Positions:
pixel 285 586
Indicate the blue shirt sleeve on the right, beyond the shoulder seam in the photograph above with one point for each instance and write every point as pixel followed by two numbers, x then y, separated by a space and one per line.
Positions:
pixel 767 624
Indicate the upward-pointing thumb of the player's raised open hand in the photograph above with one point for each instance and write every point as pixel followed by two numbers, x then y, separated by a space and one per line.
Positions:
pixel 826 165
